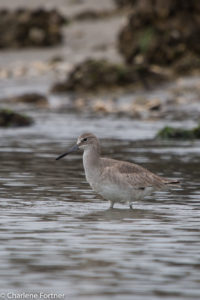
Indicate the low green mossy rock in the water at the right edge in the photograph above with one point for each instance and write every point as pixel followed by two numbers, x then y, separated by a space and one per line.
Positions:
pixel 179 133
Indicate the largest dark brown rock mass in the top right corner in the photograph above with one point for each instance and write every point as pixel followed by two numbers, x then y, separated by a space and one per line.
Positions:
pixel 155 33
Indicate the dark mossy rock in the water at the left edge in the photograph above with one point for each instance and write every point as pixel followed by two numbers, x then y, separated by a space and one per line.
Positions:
pixel 9 118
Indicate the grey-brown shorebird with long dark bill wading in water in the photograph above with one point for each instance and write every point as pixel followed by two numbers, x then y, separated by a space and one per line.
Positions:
pixel 116 181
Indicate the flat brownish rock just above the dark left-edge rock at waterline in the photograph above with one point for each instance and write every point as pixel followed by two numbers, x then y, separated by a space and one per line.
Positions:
pixel 32 99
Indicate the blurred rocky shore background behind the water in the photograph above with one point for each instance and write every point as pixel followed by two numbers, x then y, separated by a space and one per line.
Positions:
pixel 115 57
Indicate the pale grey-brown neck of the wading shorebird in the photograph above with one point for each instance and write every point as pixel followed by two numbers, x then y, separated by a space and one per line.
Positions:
pixel 91 162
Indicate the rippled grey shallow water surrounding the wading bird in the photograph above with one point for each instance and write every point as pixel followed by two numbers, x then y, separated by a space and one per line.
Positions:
pixel 58 236
